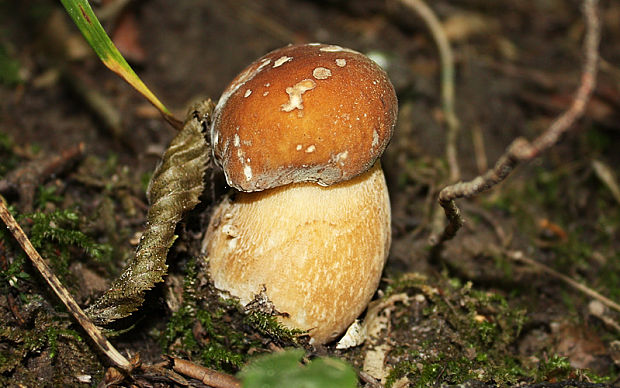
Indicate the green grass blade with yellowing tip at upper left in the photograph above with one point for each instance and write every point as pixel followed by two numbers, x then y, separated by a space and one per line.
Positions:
pixel 84 17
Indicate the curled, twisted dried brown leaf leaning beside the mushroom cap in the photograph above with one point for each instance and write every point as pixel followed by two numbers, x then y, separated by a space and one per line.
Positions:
pixel 174 189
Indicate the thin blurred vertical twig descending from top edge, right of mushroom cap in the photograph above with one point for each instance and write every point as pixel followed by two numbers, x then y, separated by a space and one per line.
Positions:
pixel 447 81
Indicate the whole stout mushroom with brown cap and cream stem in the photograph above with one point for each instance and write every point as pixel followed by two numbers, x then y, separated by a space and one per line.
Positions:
pixel 298 133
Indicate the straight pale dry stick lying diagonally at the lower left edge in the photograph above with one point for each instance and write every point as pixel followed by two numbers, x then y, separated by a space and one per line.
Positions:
pixel 93 331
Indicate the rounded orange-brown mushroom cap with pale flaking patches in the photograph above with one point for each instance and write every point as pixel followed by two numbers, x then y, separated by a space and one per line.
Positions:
pixel 303 113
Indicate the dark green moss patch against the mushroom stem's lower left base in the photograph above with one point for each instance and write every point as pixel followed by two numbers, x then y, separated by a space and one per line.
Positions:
pixel 218 331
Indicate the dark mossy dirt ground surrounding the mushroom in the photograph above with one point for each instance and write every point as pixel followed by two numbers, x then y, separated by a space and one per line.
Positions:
pixel 470 314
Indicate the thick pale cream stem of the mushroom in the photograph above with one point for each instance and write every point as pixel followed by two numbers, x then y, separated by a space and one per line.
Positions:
pixel 318 252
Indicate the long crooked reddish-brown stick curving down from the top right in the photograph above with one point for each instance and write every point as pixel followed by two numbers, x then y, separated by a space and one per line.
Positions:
pixel 520 150
